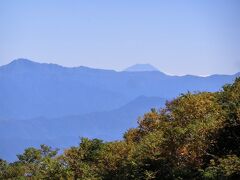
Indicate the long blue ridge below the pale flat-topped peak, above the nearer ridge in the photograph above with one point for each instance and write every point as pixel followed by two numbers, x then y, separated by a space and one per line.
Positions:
pixel 31 89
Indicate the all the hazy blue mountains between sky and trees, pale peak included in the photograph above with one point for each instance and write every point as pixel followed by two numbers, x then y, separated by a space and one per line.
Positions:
pixel 48 103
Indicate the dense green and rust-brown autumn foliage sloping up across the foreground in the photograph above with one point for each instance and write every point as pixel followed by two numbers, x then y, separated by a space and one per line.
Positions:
pixel 196 136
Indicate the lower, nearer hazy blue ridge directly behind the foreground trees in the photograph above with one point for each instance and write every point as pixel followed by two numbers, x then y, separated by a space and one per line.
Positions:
pixel 65 131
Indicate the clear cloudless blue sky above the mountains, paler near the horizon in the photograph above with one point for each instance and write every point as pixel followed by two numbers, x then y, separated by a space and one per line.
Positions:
pixel 176 36
